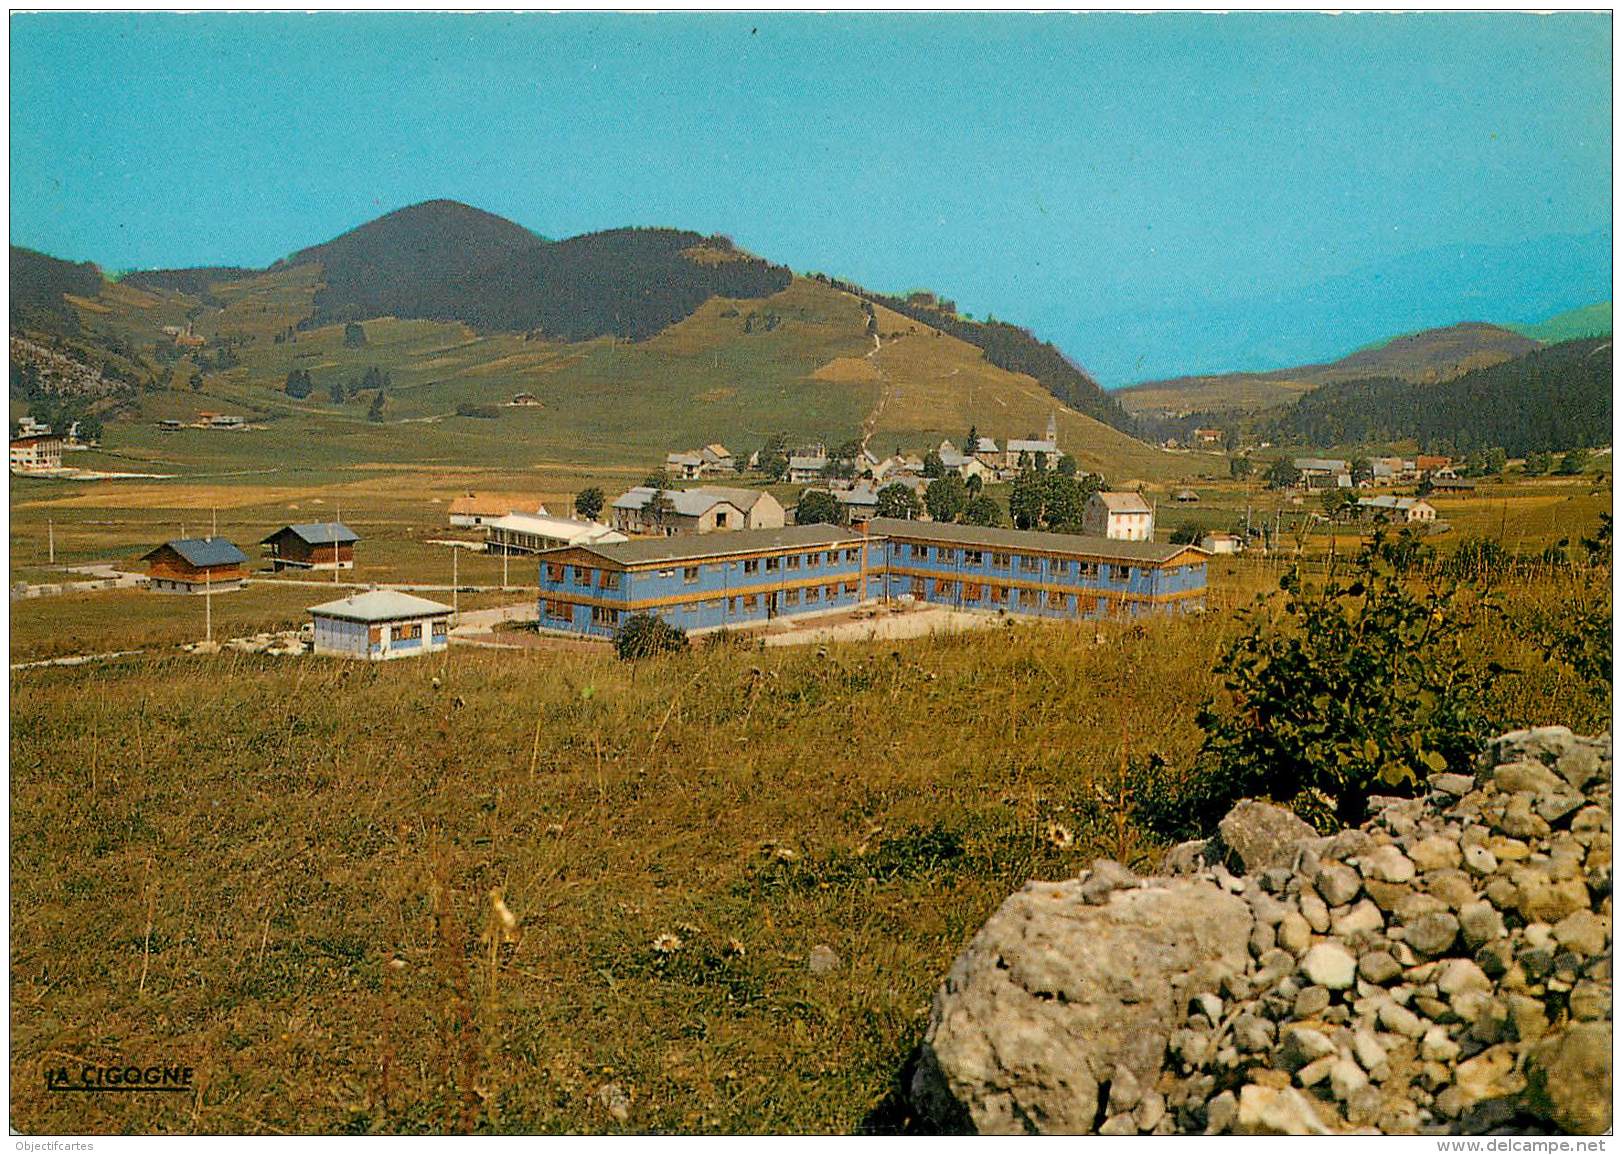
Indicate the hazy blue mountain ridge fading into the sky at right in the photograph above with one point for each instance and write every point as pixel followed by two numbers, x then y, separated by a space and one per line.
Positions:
pixel 1308 325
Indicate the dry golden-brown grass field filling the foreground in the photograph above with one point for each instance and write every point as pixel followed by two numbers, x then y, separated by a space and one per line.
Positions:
pixel 217 862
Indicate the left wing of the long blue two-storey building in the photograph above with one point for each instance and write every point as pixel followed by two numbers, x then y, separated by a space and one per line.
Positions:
pixel 695 583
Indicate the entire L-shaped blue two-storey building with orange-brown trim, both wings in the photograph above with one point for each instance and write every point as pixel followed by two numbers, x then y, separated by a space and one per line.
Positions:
pixel 753 577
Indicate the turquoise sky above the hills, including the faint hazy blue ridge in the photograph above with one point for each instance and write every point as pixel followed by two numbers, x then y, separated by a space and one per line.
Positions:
pixel 1120 184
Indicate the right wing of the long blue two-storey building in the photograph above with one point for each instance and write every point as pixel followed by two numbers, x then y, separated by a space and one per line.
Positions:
pixel 1041 575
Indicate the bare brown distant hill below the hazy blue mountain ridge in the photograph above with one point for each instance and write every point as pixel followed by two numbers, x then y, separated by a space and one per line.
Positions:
pixel 1420 358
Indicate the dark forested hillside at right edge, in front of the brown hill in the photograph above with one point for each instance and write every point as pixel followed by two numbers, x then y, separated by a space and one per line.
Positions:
pixel 1550 400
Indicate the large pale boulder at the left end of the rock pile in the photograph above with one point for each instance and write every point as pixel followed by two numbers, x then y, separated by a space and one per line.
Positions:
pixel 1055 995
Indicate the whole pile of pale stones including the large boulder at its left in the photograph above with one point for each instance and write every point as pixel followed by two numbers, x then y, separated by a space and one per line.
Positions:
pixel 1443 969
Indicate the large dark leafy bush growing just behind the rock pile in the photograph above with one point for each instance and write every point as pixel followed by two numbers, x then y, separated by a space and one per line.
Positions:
pixel 1362 689
